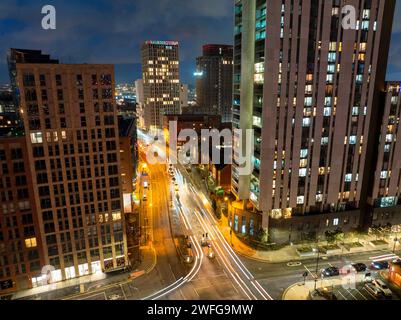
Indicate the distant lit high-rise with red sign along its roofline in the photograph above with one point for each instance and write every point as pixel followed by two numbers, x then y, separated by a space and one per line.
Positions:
pixel 161 81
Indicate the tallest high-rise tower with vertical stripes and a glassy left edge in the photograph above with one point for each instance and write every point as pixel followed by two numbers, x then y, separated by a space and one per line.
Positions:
pixel 310 89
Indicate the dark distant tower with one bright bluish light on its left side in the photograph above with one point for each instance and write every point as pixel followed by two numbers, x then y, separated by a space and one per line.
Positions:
pixel 214 76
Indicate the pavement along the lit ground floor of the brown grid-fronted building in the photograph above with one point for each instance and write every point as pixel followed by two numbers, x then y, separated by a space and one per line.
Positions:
pixel 148 262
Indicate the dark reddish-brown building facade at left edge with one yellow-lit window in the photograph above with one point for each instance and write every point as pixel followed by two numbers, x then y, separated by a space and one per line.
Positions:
pixel 21 254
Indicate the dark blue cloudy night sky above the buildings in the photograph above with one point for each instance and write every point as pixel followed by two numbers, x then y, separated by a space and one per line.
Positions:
pixel 112 31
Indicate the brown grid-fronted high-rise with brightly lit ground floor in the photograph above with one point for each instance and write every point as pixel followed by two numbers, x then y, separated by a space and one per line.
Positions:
pixel 73 154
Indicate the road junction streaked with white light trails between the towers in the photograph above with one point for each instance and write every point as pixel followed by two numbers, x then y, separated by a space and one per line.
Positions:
pixel 226 276
